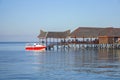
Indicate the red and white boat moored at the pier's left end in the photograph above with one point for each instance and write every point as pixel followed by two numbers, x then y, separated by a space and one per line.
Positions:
pixel 35 47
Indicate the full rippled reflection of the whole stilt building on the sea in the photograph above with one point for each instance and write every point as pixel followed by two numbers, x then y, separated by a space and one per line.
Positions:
pixel 100 62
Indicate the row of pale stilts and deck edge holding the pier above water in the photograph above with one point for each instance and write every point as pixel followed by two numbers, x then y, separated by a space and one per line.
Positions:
pixel 82 46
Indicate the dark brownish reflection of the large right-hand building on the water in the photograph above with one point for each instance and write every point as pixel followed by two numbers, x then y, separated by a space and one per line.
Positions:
pixel 98 61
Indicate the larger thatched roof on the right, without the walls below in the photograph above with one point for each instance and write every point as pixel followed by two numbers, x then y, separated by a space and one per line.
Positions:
pixel 88 32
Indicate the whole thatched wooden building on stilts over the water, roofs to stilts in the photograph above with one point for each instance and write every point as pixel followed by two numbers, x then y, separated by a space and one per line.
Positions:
pixel 82 37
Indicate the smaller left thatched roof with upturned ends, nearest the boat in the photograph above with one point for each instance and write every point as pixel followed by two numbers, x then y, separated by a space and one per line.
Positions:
pixel 44 34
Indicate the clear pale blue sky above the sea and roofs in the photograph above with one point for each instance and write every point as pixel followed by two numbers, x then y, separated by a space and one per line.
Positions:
pixel 21 20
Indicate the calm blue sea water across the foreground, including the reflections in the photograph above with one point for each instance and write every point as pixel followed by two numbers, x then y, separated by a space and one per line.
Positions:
pixel 72 64
